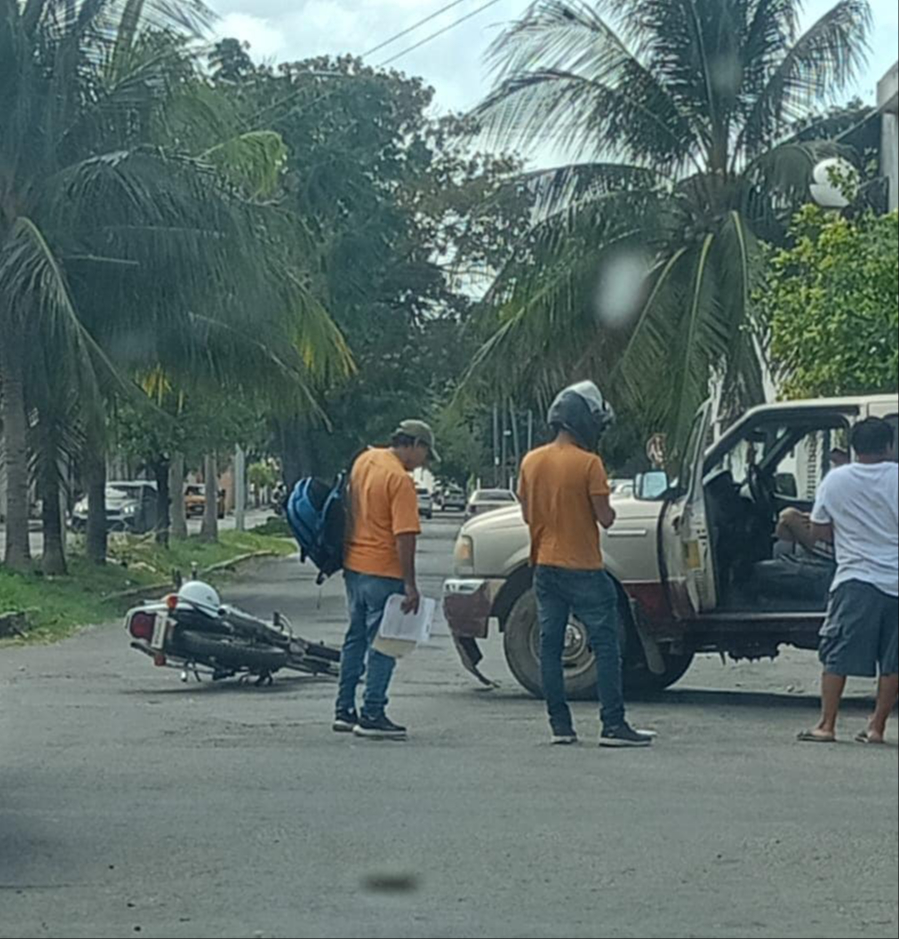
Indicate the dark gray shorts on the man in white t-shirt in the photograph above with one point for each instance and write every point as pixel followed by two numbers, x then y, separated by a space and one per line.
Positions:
pixel 860 637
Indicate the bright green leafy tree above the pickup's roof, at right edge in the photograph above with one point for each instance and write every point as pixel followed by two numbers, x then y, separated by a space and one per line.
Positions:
pixel 830 304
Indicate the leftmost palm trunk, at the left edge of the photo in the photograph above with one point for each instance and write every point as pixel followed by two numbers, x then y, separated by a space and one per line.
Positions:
pixel 15 428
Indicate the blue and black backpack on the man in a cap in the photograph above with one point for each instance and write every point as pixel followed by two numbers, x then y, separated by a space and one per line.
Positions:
pixel 317 515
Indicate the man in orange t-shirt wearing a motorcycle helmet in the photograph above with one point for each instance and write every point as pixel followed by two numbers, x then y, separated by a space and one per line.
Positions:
pixel 565 493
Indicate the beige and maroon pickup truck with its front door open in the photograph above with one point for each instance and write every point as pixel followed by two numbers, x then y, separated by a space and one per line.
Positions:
pixel 693 557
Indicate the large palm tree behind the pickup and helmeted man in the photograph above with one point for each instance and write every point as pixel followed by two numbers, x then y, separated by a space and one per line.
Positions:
pixel 642 259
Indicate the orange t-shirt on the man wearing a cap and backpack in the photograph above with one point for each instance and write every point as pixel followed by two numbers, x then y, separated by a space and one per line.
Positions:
pixel 383 504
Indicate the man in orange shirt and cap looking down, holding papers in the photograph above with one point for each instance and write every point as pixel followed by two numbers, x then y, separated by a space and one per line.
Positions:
pixel 379 563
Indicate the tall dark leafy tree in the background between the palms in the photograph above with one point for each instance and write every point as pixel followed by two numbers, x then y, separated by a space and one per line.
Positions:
pixel 408 224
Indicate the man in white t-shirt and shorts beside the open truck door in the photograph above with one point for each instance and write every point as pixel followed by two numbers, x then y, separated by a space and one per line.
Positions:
pixel 858 510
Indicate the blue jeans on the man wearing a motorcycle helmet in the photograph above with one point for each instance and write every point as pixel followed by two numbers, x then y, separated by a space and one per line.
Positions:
pixel 593 598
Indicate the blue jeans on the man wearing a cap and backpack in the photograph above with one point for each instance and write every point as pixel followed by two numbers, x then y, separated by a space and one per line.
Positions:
pixel 367 597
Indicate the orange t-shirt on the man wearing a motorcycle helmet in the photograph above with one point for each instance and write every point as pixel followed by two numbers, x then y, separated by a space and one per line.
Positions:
pixel 557 485
